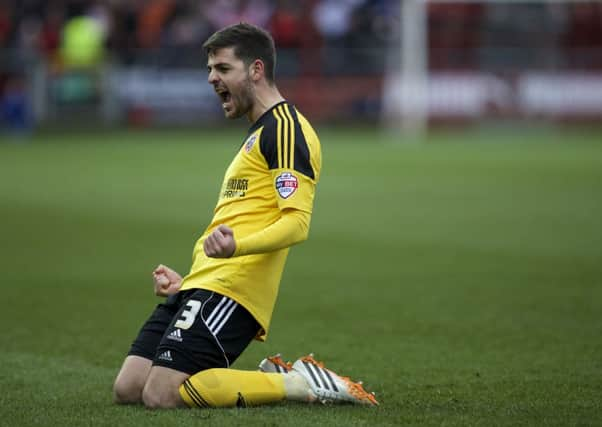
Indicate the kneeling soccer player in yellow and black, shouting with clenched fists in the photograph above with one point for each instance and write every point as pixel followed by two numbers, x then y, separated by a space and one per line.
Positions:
pixel 183 353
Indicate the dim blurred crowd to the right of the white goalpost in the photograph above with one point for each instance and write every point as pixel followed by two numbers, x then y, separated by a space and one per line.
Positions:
pixel 515 35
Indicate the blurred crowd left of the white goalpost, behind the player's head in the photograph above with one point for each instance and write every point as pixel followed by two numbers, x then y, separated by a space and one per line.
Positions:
pixel 172 31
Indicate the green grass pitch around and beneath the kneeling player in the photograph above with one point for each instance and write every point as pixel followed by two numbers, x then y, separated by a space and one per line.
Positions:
pixel 459 278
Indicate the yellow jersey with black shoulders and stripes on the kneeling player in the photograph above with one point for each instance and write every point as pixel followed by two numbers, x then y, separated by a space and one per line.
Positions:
pixel 275 170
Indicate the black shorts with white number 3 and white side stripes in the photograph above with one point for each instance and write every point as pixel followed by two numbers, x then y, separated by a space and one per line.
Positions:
pixel 194 330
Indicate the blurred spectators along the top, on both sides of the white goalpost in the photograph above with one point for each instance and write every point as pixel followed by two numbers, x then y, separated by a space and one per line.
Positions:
pixel 345 32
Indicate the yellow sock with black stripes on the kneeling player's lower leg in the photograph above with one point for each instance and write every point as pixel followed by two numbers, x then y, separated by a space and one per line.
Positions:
pixel 226 388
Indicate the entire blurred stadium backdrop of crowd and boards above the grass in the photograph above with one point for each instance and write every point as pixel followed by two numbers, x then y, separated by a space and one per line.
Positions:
pixel 135 62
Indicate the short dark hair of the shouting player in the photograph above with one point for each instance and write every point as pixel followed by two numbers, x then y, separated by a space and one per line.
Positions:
pixel 249 43
